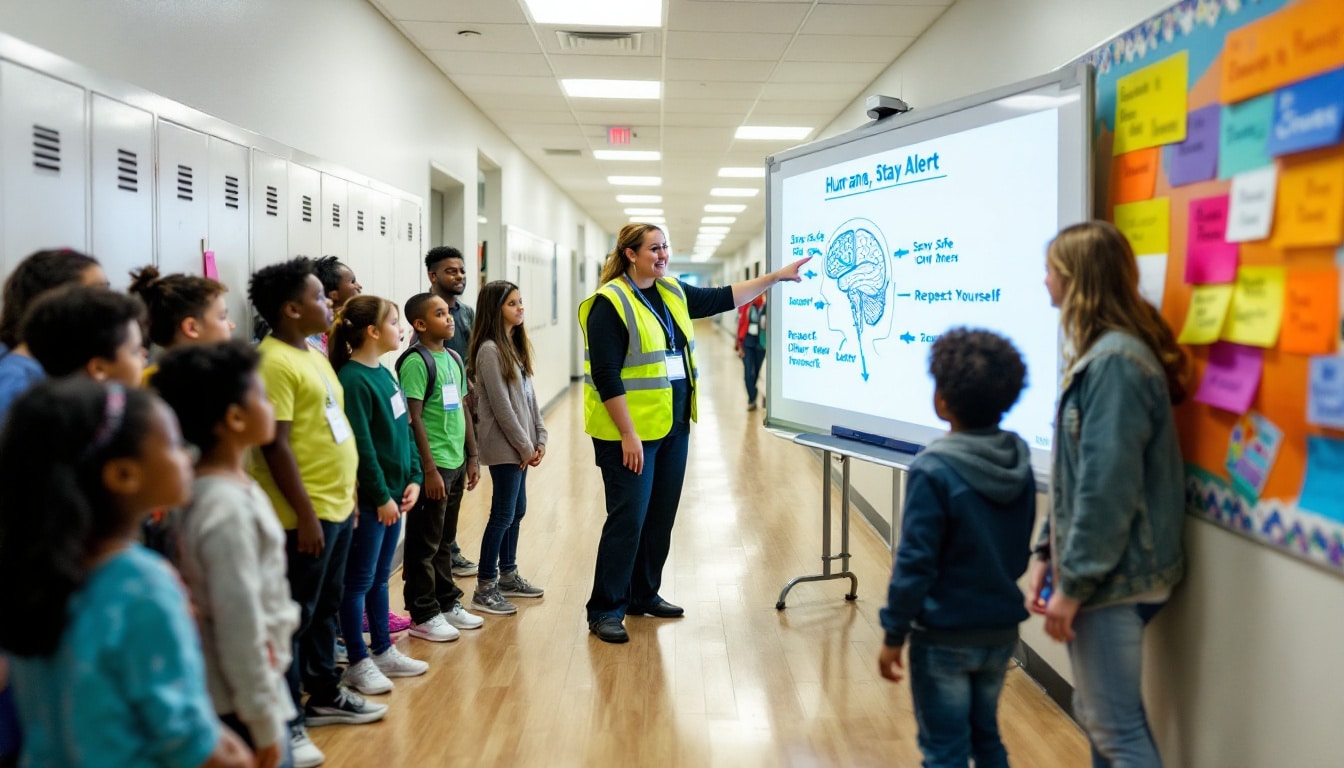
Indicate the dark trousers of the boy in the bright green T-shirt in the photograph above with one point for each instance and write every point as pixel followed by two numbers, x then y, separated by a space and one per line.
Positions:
pixel 428 556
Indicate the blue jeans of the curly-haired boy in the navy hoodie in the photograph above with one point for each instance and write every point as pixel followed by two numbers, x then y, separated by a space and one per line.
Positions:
pixel 956 697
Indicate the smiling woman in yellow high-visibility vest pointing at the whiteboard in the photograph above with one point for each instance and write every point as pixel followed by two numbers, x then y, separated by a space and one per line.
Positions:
pixel 639 401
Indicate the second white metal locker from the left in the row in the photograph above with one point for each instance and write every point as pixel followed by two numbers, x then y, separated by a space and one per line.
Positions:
pixel 122 188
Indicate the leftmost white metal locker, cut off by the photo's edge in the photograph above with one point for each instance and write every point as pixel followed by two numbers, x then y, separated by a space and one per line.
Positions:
pixel 44 151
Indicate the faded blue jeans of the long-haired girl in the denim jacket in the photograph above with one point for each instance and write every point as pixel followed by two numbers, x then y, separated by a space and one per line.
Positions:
pixel 1108 660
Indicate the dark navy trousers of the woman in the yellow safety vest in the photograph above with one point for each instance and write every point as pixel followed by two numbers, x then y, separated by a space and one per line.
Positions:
pixel 638 535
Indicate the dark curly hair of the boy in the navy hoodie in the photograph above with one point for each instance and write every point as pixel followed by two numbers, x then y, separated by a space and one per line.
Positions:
pixel 979 375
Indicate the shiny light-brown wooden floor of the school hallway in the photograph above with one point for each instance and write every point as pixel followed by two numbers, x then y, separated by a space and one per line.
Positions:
pixel 736 683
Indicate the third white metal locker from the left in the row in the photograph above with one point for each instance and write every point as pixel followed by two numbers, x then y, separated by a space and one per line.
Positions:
pixel 183 200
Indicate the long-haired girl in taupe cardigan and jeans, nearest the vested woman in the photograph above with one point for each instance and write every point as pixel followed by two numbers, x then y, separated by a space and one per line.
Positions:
pixel 511 438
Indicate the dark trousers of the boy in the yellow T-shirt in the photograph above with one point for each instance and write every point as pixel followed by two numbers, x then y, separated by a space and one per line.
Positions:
pixel 318 584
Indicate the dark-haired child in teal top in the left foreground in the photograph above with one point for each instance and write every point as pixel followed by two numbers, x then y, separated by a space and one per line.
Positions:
pixel 107 668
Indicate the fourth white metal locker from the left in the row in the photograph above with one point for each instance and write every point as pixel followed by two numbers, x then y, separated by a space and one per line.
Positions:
pixel 229 204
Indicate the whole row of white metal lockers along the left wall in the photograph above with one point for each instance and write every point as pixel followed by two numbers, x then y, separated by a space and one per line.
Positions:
pixel 87 171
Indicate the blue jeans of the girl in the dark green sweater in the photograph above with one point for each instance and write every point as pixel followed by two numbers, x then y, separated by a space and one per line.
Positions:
pixel 366 584
